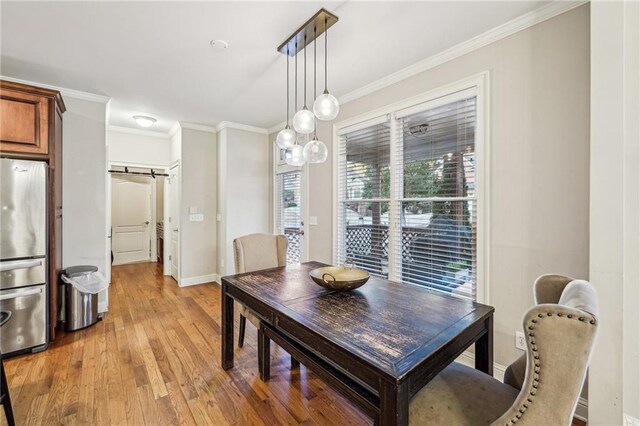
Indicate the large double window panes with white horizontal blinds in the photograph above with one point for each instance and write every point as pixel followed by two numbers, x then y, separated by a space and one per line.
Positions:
pixel 408 197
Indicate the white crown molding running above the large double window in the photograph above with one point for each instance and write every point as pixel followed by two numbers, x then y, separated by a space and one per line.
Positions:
pixel 525 21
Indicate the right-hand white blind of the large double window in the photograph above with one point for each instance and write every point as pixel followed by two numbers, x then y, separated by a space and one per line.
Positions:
pixel 437 204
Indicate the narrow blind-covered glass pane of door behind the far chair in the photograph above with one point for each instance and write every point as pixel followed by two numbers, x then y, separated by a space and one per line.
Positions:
pixel 288 214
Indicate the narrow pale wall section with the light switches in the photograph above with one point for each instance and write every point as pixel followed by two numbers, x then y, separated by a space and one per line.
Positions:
pixel 198 190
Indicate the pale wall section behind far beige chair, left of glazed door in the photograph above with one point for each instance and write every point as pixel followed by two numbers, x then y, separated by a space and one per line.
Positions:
pixel 244 191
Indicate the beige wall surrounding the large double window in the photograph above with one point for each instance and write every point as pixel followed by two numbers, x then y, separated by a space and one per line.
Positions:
pixel 539 160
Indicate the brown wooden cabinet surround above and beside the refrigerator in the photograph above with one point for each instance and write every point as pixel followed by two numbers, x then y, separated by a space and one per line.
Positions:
pixel 31 129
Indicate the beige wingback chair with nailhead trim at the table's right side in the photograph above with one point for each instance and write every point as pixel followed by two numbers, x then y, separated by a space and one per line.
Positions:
pixel 542 387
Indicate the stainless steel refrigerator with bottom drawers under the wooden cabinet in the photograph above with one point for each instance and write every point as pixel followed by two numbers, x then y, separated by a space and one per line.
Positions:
pixel 23 255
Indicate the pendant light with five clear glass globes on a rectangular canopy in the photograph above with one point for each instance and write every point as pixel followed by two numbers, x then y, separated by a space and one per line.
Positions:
pixel 325 106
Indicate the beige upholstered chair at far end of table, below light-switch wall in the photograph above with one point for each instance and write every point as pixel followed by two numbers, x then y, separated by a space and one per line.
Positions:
pixel 252 253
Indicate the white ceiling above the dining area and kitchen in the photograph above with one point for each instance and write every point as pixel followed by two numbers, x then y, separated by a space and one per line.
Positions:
pixel 154 58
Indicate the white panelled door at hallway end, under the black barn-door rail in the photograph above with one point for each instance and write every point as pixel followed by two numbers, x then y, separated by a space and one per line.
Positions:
pixel 131 220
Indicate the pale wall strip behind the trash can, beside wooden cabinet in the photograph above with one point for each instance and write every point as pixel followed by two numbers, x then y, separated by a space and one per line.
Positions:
pixel 84 236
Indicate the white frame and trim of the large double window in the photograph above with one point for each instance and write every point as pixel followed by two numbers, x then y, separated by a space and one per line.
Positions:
pixel 476 85
